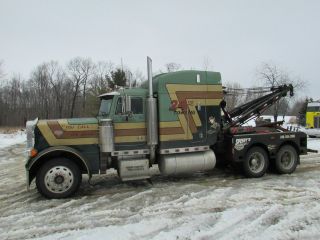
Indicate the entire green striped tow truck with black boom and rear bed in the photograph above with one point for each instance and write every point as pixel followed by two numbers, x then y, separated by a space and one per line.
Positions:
pixel 177 121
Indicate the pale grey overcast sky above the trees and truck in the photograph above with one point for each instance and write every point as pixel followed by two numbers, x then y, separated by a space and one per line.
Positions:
pixel 235 36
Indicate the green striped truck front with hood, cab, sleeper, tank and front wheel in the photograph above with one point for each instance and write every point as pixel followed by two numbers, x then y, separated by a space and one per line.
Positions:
pixel 134 129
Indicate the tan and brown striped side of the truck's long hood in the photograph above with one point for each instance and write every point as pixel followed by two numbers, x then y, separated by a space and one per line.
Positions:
pixel 73 131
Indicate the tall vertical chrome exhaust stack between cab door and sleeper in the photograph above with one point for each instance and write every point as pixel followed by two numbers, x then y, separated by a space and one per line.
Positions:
pixel 152 118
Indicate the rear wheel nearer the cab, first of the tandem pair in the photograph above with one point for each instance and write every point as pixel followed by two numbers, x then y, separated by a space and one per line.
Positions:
pixel 256 162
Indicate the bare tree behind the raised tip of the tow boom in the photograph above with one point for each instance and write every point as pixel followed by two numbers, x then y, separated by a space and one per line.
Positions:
pixel 272 76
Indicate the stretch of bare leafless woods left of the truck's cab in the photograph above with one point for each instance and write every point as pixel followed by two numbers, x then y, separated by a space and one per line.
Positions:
pixel 56 91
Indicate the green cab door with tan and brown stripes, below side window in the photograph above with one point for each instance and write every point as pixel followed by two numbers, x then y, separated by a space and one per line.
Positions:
pixel 130 128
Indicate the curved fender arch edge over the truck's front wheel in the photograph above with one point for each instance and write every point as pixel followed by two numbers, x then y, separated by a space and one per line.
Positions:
pixel 51 150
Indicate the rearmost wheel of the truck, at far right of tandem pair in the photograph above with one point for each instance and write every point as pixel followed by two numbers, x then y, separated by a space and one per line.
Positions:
pixel 286 160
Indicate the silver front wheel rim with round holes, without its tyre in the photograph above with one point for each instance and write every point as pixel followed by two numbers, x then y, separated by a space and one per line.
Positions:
pixel 58 179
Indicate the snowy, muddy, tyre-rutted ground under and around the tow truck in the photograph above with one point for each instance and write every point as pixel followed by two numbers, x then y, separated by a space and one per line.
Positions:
pixel 219 204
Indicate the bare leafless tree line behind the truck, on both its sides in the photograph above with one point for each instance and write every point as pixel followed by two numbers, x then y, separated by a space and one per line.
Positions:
pixel 65 91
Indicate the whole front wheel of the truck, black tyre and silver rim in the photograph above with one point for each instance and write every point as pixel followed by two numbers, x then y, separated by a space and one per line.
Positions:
pixel 58 178
